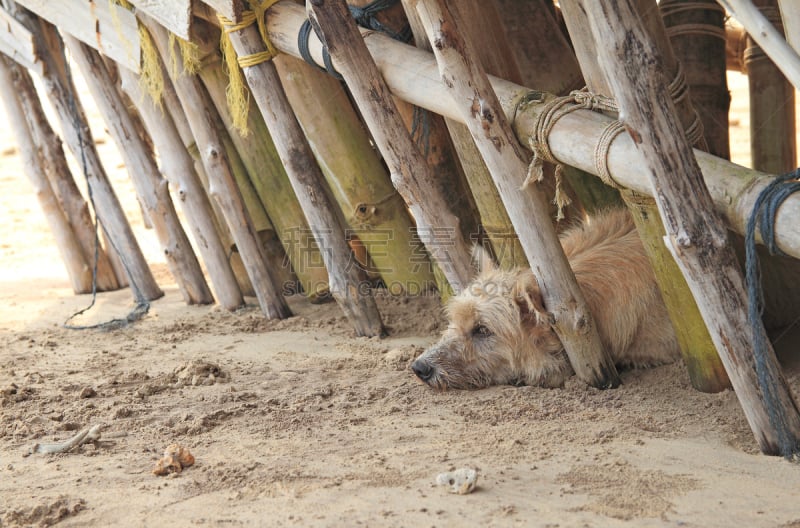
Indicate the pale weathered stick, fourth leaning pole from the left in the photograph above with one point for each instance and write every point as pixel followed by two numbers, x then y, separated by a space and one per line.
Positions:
pixel 150 186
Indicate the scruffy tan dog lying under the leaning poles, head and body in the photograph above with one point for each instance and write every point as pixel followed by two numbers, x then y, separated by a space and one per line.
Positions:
pixel 498 332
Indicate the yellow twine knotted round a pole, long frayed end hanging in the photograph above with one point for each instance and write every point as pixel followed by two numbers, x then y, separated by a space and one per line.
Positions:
pixel 236 93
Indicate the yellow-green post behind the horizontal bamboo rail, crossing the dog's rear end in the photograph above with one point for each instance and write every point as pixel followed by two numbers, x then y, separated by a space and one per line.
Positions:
pixel 706 371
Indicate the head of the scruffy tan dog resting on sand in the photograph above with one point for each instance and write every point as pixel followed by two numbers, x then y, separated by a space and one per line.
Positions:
pixel 498 333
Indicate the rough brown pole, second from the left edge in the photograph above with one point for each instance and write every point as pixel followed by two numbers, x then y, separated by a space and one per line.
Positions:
pixel 57 171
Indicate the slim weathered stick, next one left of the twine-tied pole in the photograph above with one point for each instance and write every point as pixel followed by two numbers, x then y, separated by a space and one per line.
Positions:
pixel 222 184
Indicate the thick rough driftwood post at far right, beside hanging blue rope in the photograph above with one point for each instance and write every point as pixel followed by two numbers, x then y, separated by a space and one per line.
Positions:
pixel 696 237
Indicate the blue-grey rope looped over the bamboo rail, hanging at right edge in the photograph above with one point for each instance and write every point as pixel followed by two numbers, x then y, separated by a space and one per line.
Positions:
pixel 763 217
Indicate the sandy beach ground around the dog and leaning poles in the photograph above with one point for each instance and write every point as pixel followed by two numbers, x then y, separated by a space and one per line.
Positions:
pixel 306 425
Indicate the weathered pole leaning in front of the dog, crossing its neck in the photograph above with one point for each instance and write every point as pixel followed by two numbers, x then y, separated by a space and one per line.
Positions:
pixel 525 202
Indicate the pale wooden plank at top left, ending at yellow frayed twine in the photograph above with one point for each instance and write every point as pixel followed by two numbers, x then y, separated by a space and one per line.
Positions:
pixel 112 33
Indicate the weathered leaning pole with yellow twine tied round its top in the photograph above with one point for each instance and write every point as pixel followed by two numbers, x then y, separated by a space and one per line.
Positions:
pixel 347 284
